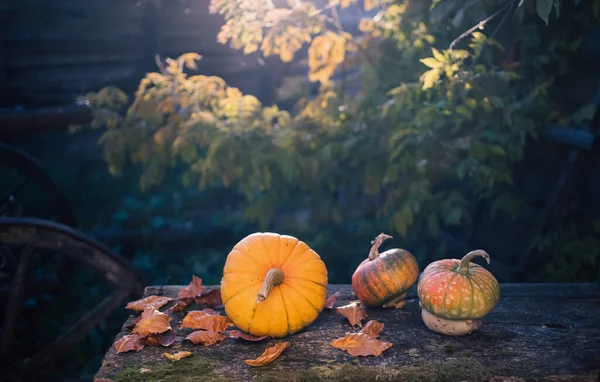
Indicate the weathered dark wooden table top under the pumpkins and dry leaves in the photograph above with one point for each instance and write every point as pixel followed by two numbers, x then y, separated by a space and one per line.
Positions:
pixel 537 332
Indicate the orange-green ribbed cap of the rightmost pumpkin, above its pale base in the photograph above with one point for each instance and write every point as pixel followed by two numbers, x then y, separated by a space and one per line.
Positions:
pixel 449 294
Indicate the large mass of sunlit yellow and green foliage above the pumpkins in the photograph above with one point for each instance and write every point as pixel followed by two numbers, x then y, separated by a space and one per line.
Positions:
pixel 431 131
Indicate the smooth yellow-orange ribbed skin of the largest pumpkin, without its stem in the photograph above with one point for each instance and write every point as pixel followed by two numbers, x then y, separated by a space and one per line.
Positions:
pixel 291 305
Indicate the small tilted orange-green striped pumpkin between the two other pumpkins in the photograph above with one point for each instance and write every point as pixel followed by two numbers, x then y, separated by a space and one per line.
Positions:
pixel 383 280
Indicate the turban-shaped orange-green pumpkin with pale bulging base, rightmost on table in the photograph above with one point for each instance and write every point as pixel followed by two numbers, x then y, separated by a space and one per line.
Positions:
pixel 455 295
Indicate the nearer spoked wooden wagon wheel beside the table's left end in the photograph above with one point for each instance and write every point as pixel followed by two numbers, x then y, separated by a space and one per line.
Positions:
pixel 31 234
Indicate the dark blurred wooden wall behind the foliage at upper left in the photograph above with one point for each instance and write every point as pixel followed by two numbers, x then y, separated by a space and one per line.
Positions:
pixel 52 51
